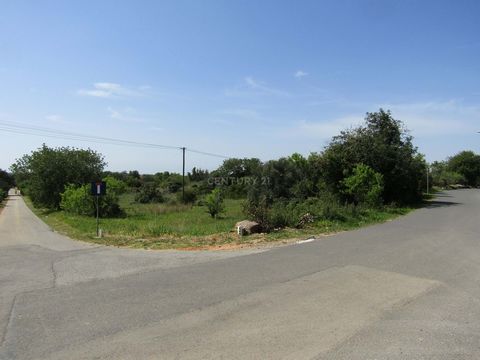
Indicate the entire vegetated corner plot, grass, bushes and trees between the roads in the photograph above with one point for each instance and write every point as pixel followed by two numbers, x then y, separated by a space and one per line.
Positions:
pixel 365 175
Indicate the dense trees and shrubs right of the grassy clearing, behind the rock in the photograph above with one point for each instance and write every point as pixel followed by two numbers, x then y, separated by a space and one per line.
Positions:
pixel 370 166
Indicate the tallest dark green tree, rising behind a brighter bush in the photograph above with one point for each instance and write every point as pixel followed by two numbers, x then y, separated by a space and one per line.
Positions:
pixel 386 146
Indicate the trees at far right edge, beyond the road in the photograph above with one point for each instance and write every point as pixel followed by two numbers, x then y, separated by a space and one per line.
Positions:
pixel 463 169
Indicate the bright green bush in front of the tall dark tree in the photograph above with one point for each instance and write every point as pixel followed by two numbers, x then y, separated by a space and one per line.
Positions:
pixel 365 186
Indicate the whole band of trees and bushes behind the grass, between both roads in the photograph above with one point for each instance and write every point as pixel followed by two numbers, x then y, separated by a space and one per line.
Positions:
pixel 369 166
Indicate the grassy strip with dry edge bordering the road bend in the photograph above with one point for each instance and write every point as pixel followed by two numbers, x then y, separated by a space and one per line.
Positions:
pixel 161 226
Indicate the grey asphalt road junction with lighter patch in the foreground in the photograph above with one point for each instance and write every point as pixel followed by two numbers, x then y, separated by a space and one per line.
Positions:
pixel 406 289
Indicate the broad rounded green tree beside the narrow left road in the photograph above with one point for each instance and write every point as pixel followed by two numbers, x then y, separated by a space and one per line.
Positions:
pixel 45 172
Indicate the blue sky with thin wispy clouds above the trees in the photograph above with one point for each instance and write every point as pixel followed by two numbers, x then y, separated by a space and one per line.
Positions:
pixel 240 78
